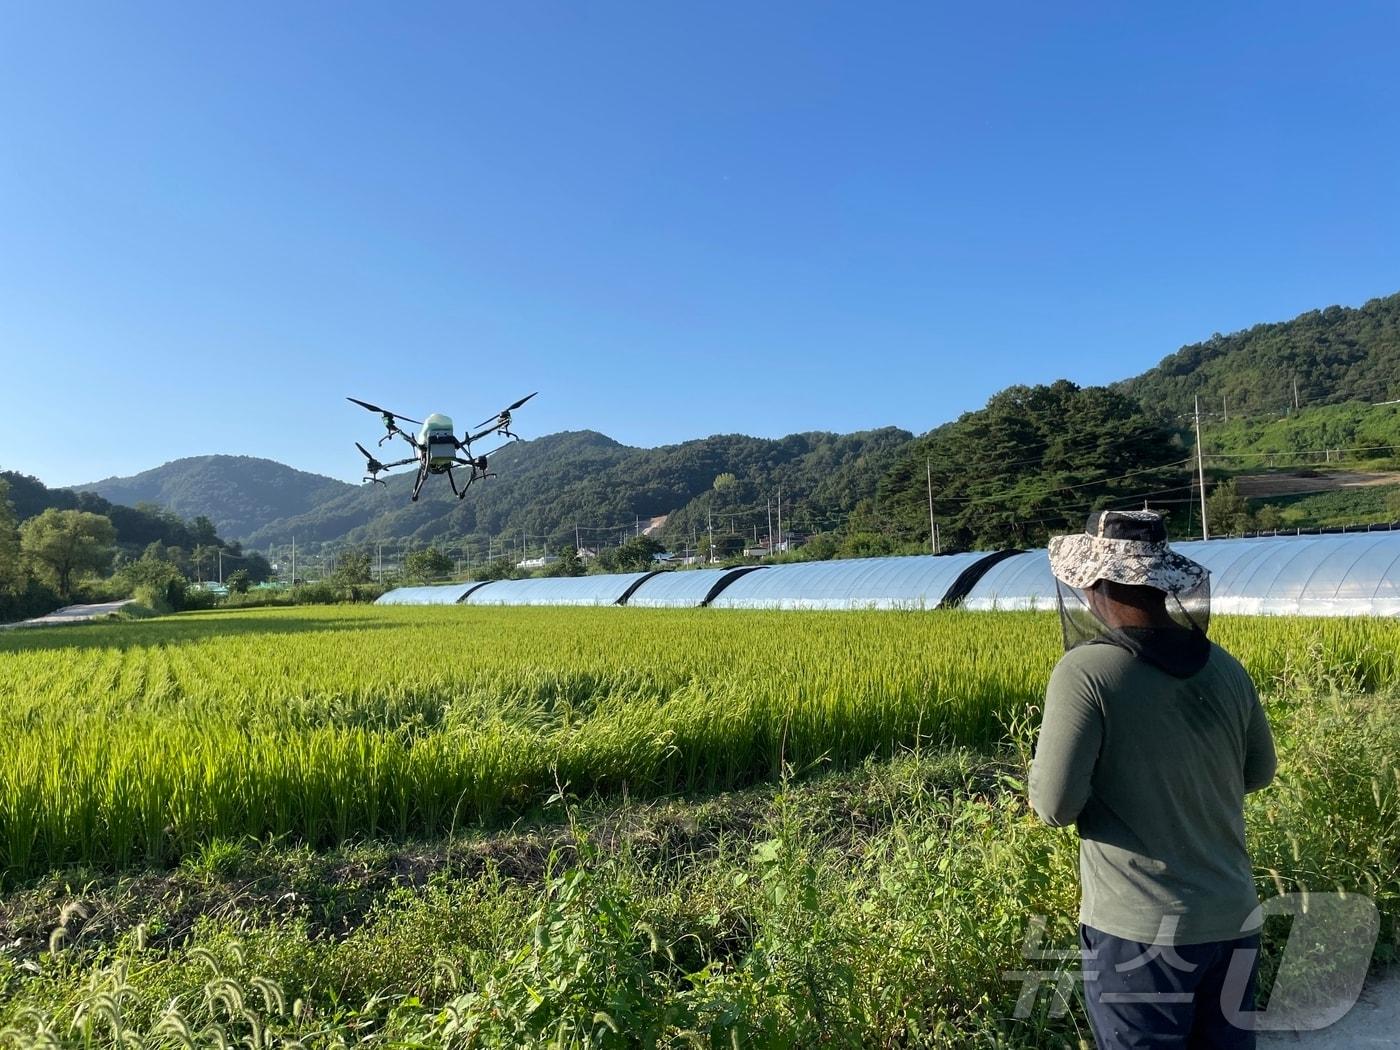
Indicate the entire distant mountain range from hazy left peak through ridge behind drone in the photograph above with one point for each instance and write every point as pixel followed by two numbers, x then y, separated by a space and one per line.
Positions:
pixel 549 491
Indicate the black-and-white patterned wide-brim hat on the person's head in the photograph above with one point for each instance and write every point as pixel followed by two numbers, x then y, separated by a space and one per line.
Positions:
pixel 1125 548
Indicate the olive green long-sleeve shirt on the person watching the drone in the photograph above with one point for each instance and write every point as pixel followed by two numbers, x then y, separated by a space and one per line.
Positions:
pixel 1154 771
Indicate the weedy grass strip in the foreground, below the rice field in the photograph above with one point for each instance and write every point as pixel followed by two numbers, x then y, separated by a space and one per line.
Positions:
pixel 878 906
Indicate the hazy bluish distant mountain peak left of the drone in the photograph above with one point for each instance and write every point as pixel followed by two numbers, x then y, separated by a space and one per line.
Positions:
pixel 240 495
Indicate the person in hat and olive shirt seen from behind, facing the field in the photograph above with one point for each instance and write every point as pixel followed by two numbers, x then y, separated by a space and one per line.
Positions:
pixel 1151 738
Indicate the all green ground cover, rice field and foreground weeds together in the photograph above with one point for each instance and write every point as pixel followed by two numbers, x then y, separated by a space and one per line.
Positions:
pixel 593 828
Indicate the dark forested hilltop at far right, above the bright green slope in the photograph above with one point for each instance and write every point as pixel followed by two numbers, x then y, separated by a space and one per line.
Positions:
pixel 1335 355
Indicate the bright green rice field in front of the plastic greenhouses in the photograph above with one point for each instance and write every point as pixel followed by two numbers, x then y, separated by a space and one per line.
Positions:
pixel 142 743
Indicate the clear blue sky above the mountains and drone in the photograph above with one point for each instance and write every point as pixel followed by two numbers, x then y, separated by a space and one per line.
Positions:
pixel 671 219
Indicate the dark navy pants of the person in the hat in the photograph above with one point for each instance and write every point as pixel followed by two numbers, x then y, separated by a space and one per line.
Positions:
pixel 1154 996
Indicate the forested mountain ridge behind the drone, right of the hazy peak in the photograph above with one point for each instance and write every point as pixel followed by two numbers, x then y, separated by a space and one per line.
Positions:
pixel 584 481
